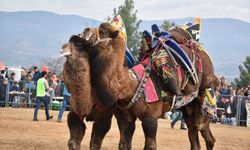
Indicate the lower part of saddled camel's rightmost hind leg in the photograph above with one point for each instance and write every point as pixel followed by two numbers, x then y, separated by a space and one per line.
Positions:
pixel 208 136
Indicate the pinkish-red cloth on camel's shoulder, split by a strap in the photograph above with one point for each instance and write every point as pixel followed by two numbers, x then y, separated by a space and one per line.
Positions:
pixel 149 90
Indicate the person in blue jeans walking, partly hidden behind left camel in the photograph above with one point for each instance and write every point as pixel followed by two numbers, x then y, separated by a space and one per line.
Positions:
pixel 66 103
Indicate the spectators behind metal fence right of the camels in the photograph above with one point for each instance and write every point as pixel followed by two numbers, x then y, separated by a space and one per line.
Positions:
pixel 229 98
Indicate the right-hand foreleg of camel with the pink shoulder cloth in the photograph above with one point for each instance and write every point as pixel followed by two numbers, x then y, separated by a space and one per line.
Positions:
pixel 149 125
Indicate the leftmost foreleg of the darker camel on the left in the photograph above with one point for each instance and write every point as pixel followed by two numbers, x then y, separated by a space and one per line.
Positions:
pixel 77 130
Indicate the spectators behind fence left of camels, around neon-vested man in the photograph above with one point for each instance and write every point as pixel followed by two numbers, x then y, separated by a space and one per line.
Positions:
pixel 10 87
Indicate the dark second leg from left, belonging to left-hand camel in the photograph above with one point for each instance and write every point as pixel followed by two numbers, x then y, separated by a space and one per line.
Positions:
pixel 99 130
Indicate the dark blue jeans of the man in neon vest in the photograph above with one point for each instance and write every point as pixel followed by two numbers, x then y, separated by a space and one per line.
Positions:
pixel 38 105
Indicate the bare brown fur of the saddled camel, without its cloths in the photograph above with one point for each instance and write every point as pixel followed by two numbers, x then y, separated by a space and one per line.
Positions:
pixel 114 83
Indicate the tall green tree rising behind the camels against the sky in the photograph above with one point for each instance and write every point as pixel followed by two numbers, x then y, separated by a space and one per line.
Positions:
pixel 128 13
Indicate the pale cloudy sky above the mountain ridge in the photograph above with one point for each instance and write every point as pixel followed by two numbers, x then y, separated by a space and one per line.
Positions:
pixel 147 9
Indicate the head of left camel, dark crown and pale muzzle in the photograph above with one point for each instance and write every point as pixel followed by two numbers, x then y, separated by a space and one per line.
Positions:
pixel 74 48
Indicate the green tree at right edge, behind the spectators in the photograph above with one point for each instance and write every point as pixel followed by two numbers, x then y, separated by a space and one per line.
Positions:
pixel 244 78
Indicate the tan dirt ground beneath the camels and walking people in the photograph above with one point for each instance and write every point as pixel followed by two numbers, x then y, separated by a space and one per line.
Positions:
pixel 18 131
